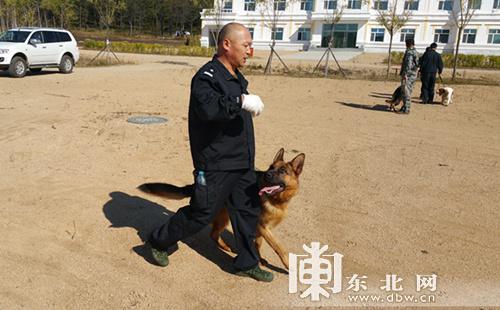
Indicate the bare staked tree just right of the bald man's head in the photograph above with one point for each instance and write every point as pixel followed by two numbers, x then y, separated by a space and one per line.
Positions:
pixel 271 11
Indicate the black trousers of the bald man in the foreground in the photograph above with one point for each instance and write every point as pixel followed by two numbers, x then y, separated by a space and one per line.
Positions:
pixel 237 190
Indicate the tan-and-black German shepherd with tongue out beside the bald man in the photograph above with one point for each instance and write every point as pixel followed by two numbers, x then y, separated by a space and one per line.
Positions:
pixel 277 186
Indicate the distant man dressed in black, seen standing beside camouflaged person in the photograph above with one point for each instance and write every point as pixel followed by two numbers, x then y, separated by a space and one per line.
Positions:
pixel 430 64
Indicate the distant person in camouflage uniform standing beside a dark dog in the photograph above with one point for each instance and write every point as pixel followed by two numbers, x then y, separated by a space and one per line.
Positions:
pixel 409 69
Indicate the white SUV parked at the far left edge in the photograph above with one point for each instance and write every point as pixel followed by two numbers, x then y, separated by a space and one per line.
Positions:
pixel 36 48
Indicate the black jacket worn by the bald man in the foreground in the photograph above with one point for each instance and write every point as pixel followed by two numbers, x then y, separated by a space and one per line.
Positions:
pixel 220 131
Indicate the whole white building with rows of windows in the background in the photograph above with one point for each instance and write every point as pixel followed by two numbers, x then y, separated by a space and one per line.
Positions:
pixel 303 25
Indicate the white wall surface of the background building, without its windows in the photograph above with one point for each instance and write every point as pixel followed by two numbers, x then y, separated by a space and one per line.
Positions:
pixel 425 20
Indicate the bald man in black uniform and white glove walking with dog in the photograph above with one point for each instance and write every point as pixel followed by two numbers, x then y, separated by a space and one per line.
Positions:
pixel 223 151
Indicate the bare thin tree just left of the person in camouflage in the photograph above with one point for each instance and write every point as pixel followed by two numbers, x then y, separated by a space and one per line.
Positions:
pixel 392 21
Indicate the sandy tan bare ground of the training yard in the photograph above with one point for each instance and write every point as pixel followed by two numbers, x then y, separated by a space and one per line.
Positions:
pixel 393 194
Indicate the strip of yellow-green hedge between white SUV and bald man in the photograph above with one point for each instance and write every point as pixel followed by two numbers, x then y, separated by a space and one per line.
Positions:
pixel 146 48
